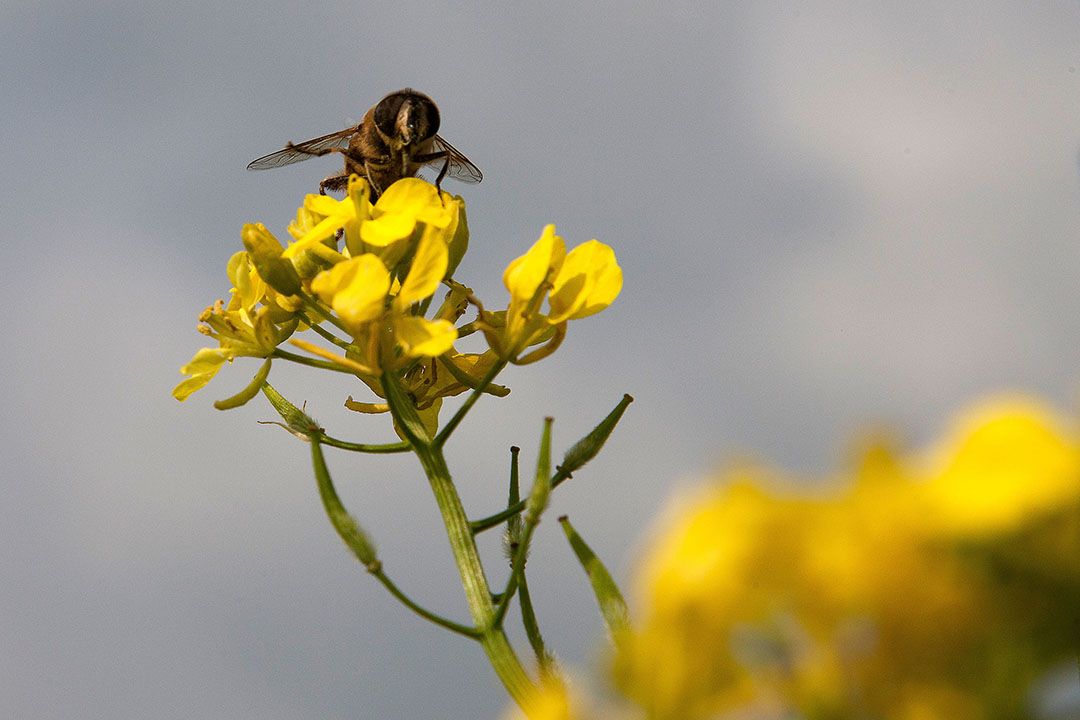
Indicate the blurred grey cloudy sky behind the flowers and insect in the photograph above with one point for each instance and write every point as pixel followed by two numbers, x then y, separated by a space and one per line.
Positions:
pixel 829 218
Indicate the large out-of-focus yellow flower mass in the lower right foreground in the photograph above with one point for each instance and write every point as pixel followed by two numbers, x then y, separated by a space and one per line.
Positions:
pixel 940 585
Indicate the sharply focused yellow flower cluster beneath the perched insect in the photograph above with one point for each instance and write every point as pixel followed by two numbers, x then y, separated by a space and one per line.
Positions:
pixel 363 277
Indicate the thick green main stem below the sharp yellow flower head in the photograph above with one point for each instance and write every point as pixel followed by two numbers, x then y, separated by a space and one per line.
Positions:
pixel 493 637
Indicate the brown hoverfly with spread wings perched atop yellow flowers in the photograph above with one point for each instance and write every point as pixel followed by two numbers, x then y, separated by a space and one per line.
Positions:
pixel 397 138
